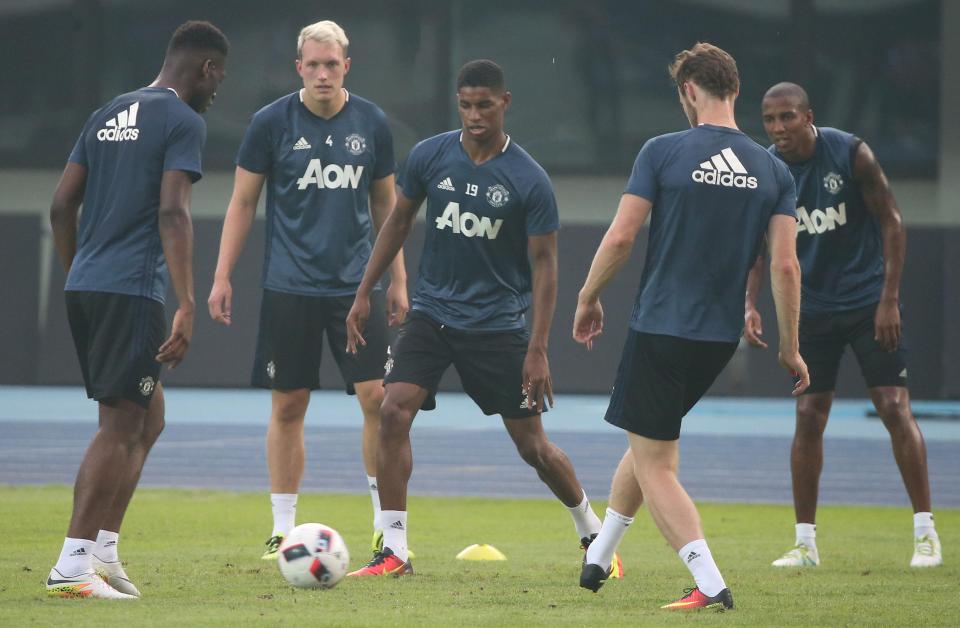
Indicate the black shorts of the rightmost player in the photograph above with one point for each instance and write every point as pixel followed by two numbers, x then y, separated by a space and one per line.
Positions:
pixel 823 338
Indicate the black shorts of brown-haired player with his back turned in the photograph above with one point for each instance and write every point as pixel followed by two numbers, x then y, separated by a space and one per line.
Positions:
pixel 660 378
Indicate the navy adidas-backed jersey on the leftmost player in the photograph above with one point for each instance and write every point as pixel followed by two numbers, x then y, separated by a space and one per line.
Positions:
pixel 126 146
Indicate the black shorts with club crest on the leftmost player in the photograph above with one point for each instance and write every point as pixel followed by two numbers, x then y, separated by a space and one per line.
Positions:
pixel 117 337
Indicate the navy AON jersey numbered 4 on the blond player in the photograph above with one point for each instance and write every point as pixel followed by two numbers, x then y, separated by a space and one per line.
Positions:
pixel 318 173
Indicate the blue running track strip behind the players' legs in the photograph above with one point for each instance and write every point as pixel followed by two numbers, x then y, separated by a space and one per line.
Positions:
pixel 732 450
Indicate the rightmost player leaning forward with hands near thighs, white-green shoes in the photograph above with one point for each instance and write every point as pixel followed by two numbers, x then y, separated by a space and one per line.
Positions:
pixel 851 243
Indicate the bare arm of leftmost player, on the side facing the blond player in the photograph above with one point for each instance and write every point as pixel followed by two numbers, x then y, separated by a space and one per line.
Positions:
pixel 176 236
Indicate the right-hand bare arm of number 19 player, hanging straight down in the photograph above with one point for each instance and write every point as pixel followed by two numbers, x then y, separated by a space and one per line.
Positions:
pixel 536 368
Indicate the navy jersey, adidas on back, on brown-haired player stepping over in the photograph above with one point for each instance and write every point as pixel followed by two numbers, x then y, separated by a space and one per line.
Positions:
pixel 713 191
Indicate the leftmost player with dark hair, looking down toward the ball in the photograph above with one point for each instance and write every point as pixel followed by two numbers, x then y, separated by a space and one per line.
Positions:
pixel 132 169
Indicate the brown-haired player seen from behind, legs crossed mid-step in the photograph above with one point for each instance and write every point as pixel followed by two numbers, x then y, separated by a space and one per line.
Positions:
pixel 711 194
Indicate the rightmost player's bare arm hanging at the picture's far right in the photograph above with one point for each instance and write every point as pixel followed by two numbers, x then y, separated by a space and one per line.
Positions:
pixel 881 203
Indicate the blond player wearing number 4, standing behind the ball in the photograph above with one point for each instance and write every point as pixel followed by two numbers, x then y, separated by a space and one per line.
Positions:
pixel 327 158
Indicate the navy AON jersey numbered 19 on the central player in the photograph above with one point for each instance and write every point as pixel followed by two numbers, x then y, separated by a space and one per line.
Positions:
pixel 474 272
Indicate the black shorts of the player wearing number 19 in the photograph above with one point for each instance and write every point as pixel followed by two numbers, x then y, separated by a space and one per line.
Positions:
pixel 490 364
